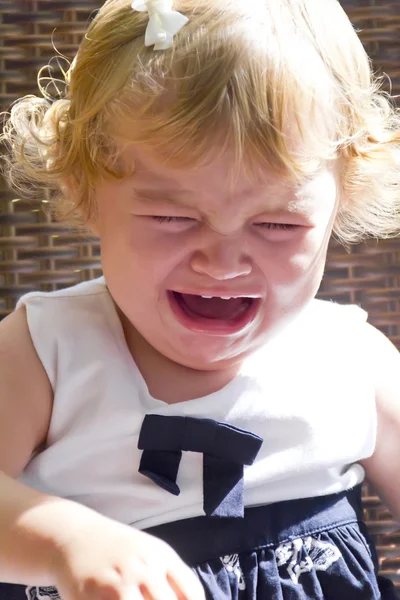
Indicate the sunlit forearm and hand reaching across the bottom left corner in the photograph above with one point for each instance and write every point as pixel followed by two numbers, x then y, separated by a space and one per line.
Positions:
pixel 46 541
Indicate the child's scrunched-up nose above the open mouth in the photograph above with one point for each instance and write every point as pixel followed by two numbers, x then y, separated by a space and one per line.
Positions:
pixel 221 258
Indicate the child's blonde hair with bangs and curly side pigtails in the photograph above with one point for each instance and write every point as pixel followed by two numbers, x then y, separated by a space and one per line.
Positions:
pixel 258 76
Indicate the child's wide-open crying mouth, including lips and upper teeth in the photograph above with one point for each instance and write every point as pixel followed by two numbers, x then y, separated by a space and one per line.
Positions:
pixel 214 313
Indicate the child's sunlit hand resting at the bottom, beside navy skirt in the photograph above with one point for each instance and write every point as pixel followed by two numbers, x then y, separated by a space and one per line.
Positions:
pixel 104 560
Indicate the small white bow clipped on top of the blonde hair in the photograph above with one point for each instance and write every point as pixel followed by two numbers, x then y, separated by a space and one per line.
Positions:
pixel 164 22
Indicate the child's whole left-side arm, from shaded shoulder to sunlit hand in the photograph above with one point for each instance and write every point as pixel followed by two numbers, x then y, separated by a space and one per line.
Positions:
pixel 52 541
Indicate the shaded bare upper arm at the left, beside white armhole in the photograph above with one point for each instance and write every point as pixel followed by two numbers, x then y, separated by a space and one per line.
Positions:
pixel 26 395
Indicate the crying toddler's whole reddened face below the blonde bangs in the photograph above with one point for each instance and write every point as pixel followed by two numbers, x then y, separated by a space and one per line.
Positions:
pixel 170 236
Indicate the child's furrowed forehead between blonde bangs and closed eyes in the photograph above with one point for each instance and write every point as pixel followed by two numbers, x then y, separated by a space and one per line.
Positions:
pixel 216 184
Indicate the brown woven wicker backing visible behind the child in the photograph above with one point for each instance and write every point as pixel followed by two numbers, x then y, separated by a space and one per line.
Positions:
pixel 36 253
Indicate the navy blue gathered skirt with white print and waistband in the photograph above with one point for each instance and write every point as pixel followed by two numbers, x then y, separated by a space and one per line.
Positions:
pixel 308 549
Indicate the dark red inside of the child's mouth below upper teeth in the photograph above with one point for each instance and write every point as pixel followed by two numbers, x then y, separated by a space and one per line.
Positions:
pixel 213 308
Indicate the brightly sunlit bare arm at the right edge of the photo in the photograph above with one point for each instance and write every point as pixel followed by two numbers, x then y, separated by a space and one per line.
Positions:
pixel 383 468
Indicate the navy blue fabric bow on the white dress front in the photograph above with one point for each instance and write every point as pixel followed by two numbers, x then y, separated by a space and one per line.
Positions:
pixel 226 449
